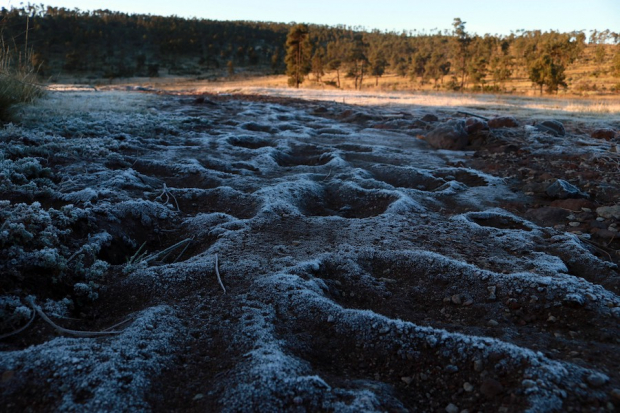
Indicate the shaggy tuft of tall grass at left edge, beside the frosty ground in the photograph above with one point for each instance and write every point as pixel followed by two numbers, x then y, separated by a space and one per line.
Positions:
pixel 17 80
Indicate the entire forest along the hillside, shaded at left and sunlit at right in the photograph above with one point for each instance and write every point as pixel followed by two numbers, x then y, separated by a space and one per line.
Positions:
pixel 108 44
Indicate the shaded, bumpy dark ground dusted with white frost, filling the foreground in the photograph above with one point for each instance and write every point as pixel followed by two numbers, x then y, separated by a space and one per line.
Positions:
pixel 268 254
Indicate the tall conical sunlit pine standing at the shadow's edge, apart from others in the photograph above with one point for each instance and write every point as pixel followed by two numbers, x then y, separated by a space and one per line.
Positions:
pixel 298 52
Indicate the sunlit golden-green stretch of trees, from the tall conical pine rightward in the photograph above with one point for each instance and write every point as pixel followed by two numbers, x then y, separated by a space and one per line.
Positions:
pixel 450 60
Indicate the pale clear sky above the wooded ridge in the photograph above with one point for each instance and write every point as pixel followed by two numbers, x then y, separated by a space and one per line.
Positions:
pixel 482 16
